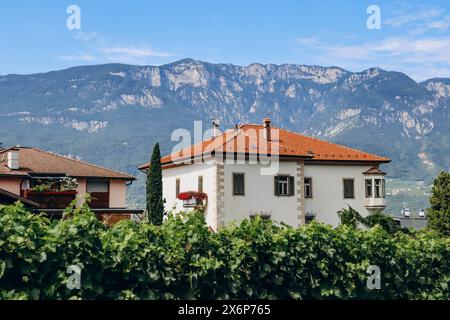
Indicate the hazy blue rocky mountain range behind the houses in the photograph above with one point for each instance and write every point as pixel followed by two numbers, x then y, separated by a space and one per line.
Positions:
pixel 113 114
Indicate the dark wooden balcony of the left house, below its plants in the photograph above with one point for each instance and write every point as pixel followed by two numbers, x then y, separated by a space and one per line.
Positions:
pixel 51 199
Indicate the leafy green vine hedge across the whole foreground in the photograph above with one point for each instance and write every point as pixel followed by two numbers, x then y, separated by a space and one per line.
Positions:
pixel 182 259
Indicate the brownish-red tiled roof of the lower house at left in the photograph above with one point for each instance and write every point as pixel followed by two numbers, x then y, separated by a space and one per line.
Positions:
pixel 34 161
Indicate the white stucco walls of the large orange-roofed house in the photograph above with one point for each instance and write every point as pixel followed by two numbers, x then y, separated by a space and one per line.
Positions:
pixel 327 200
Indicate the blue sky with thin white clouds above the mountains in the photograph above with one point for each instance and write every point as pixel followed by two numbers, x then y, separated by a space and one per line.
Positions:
pixel 414 37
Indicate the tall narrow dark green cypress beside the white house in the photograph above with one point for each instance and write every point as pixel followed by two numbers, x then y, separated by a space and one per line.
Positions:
pixel 155 205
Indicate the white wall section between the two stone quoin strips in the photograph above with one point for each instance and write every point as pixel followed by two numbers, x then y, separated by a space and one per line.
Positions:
pixel 259 194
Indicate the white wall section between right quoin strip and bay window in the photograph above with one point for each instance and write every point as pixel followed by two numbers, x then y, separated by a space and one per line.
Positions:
pixel 328 191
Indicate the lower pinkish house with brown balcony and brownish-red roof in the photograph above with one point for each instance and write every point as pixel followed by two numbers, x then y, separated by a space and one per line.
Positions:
pixel 48 183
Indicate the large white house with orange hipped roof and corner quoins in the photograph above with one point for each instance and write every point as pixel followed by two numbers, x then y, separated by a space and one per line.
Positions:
pixel 311 179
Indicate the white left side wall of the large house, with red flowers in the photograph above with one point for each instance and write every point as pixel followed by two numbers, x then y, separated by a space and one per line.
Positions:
pixel 188 176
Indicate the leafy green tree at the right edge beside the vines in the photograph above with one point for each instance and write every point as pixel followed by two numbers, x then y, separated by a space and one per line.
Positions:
pixel 439 213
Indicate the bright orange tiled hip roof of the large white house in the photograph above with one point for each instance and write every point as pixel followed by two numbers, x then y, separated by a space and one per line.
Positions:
pixel 248 139
